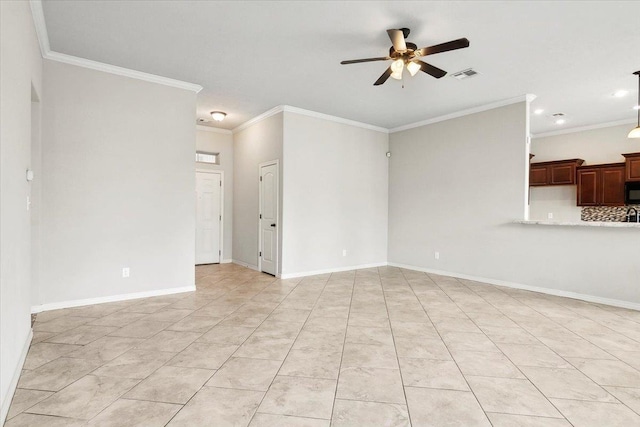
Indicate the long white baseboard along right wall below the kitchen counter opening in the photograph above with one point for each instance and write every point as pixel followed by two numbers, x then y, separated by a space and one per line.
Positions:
pixel 548 291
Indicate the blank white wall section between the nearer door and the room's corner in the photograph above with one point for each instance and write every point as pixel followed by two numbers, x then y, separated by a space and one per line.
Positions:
pixel 335 195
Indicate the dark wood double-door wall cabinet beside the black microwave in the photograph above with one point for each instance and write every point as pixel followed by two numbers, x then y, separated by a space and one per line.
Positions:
pixel 601 185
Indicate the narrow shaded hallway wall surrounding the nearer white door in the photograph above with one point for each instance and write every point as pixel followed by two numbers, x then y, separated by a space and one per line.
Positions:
pixel 258 143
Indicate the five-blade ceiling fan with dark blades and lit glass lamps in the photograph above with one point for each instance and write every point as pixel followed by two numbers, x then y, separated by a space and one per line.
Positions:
pixel 406 54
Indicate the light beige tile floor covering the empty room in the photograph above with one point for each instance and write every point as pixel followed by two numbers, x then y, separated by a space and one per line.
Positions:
pixel 375 347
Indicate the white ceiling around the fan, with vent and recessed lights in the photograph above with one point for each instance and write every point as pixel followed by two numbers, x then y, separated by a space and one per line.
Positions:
pixel 252 56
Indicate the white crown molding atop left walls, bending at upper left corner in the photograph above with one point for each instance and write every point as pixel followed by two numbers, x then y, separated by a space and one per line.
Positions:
pixel 45 49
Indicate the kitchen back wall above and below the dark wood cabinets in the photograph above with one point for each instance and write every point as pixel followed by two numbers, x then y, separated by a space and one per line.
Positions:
pixel 596 146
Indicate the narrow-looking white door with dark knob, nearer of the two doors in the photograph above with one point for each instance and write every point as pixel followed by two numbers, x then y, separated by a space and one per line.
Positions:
pixel 269 218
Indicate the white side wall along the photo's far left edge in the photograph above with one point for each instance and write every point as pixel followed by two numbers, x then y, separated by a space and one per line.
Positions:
pixel 20 69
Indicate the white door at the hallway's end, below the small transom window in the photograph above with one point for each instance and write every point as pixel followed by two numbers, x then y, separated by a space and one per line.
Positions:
pixel 208 217
